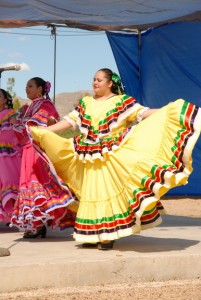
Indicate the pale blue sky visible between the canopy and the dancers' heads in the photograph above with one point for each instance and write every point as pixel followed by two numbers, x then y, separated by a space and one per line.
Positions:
pixel 79 54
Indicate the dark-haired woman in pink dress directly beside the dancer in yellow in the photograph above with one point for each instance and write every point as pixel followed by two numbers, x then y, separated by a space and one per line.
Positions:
pixel 42 199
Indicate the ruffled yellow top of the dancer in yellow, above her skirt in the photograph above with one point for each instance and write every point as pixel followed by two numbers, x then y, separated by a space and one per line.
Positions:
pixel 103 124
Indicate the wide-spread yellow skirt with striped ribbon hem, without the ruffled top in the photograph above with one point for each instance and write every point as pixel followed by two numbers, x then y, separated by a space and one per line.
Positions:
pixel 121 195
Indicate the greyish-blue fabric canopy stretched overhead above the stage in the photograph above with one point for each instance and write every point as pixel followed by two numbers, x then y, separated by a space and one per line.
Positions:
pixel 98 15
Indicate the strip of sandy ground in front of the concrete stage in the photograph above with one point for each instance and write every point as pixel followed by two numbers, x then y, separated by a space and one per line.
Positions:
pixel 172 290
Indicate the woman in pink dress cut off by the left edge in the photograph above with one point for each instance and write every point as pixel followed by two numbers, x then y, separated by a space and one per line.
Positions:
pixel 10 158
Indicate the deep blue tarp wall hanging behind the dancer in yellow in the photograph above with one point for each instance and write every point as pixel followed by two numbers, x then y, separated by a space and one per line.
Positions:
pixel 162 65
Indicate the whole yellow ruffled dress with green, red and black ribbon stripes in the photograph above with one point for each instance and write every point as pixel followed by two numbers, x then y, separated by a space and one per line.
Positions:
pixel 119 167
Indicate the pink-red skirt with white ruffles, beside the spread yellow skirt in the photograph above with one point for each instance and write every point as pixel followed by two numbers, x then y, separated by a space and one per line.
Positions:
pixel 41 198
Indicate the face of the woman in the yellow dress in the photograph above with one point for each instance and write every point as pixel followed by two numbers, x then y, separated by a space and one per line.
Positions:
pixel 101 84
